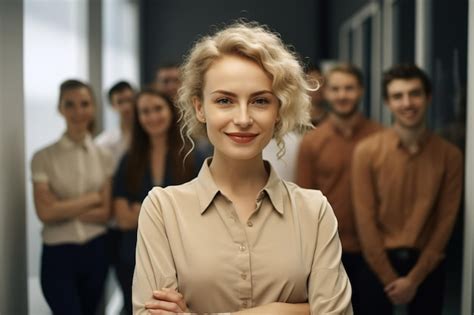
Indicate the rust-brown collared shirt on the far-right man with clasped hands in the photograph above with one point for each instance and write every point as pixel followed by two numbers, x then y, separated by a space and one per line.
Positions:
pixel 405 199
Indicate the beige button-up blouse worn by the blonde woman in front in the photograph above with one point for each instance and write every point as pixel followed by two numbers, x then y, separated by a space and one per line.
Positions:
pixel 190 239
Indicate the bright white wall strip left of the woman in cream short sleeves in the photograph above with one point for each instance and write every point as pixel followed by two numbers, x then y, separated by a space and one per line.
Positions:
pixel 55 49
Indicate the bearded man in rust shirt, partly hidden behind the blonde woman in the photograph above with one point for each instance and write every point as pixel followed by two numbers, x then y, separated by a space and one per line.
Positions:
pixel 324 160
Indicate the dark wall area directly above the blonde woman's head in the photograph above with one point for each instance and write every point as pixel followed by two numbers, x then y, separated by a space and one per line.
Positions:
pixel 169 28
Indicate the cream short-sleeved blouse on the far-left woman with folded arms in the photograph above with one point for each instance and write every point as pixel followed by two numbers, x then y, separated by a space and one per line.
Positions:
pixel 71 170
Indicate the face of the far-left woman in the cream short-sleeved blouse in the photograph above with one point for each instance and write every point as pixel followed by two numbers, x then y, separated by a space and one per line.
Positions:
pixel 77 108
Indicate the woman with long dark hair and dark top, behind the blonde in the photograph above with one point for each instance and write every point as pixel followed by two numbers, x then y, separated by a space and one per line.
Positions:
pixel 155 158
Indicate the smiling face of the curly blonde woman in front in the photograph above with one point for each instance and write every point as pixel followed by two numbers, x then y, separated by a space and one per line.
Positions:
pixel 238 107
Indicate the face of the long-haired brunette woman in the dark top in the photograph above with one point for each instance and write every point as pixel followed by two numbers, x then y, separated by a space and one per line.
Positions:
pixel 154 114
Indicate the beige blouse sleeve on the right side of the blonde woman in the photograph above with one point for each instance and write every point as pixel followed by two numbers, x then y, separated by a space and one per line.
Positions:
pixel 329 289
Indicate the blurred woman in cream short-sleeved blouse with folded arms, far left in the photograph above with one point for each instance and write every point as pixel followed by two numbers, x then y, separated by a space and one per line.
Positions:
pixel 71 183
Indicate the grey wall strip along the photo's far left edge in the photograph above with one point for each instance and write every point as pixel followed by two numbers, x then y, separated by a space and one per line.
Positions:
pixel 13 279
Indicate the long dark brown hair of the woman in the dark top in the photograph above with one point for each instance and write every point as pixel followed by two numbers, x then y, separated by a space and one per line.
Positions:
pixel 139 154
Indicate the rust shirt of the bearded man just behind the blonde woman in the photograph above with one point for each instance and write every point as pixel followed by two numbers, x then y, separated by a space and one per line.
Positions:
pixel 324 163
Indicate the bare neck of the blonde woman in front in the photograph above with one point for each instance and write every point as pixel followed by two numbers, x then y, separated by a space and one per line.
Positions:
pixel 236 177
